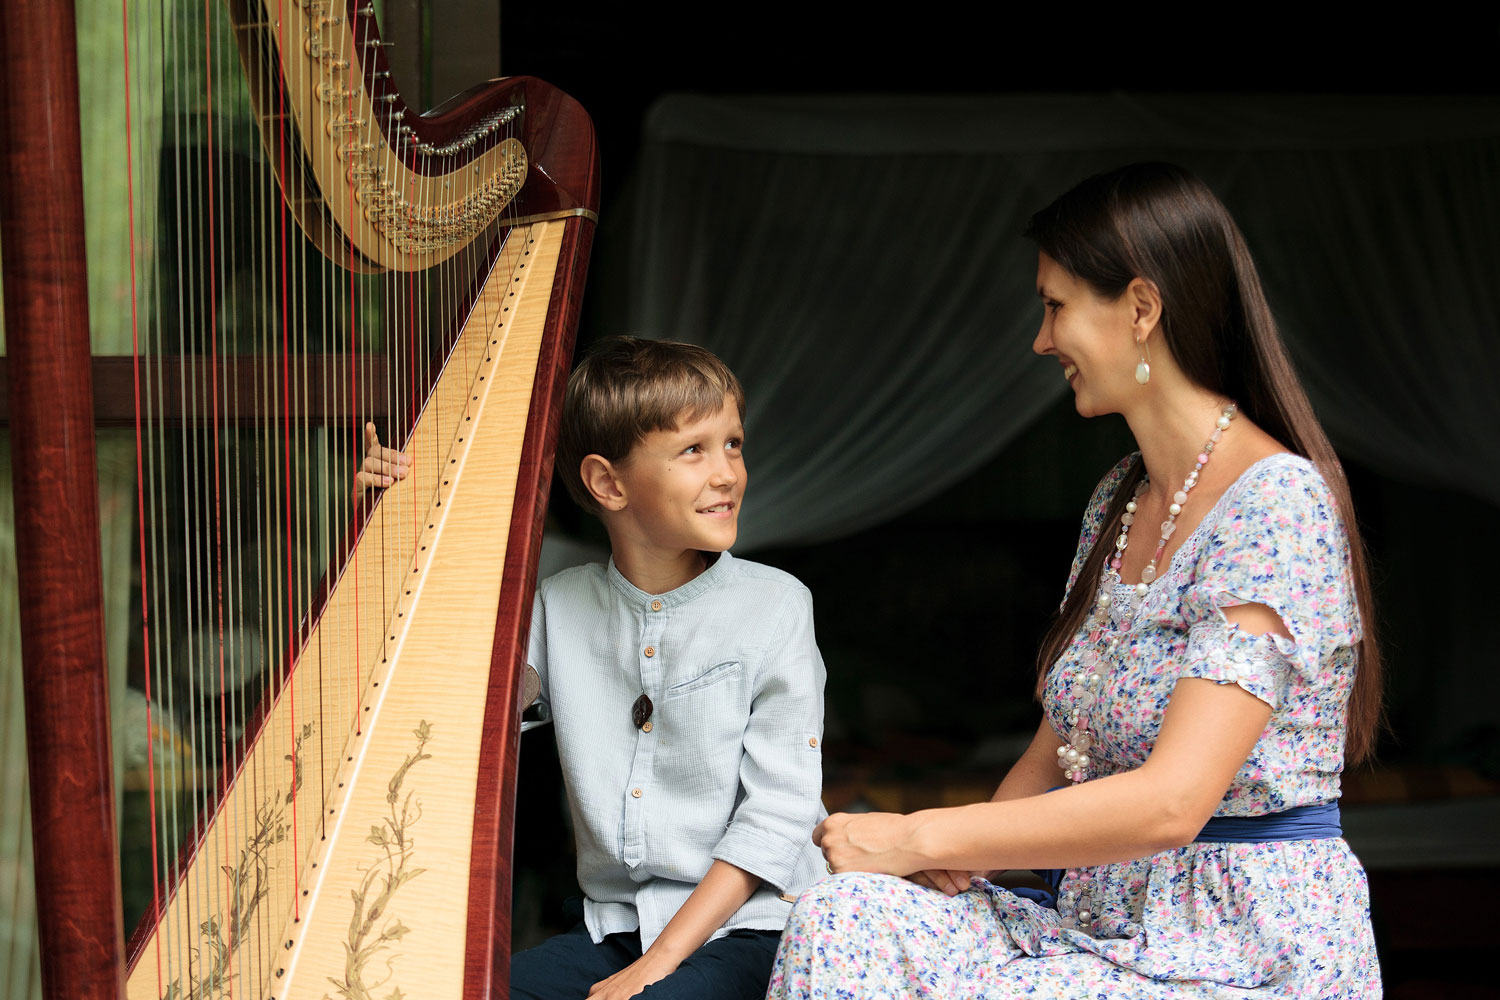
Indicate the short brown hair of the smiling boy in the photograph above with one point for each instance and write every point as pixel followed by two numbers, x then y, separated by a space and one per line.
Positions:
pixel 628 388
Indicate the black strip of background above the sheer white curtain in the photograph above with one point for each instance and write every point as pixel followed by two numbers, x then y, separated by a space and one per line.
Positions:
pixel 619 59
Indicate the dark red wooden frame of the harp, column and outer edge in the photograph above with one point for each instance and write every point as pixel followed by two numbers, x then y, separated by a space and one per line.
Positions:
pixel 56 500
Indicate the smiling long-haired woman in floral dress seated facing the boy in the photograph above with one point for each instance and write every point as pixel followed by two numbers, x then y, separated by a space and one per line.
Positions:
pixel 1204 686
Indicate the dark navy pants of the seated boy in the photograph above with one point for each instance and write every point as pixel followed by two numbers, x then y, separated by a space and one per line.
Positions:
pixel 563 968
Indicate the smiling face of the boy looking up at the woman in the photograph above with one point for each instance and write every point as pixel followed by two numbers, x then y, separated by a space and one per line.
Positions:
pixel 683 487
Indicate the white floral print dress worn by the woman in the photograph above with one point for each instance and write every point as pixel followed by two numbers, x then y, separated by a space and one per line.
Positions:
pixel 1210 920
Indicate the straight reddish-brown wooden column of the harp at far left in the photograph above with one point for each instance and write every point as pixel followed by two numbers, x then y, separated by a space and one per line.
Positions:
pixel 56 504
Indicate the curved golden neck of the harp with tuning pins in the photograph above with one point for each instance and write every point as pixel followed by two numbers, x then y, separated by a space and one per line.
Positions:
pixel 374 184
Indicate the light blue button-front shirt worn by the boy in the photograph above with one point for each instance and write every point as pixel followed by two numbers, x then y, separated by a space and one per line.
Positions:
pixel 731 764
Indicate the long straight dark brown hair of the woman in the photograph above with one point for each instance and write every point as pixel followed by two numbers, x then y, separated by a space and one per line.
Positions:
pixel 1160 223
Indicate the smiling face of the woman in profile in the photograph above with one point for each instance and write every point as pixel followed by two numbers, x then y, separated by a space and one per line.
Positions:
pixel 1093 340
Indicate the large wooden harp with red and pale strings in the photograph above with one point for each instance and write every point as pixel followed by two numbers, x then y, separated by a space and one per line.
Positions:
pixel 340 783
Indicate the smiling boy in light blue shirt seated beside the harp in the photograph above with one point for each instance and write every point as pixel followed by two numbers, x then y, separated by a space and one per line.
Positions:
pixel 686 693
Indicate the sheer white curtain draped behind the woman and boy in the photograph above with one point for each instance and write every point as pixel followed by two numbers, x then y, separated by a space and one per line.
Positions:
pixel 857 262
